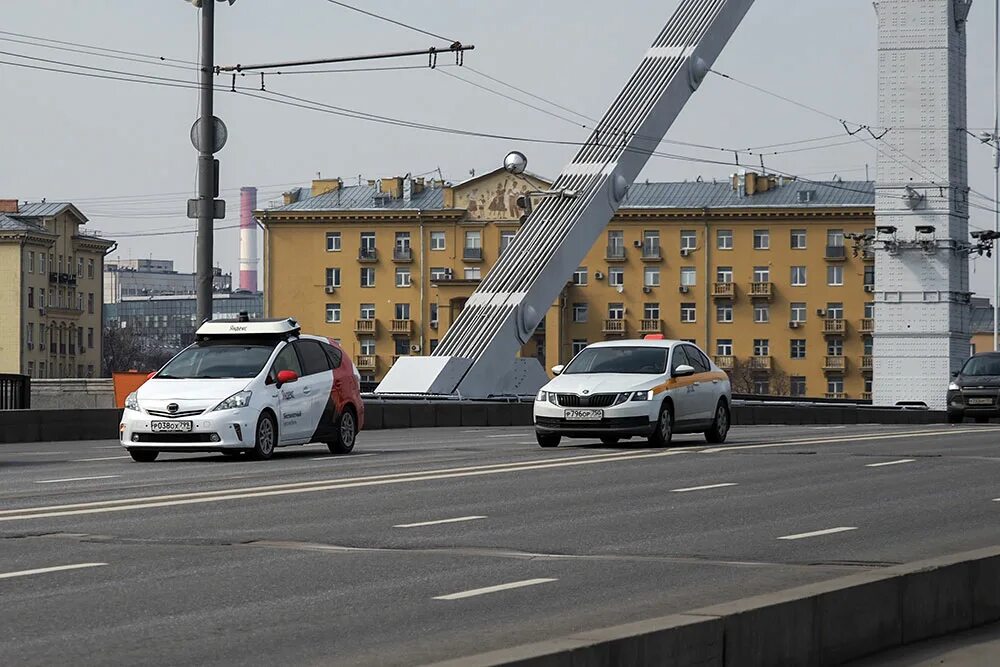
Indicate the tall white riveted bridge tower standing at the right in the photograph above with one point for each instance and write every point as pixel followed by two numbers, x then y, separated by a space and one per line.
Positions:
pixel 922 313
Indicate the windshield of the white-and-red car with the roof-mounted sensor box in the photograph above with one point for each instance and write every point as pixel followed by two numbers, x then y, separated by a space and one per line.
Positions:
pixel 213 359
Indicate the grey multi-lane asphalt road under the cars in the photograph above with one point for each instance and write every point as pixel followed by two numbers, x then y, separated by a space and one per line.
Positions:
pixel 426 545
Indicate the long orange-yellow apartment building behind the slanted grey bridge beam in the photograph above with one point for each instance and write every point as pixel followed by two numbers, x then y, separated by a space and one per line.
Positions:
pixel 761 272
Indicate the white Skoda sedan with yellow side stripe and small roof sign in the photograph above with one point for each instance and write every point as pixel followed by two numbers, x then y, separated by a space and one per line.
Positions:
pixel 652 388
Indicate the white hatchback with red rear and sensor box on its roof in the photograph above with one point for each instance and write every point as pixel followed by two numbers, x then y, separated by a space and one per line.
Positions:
pixel 246 386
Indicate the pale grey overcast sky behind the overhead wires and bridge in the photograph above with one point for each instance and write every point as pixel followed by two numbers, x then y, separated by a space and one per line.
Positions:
pixel 113 147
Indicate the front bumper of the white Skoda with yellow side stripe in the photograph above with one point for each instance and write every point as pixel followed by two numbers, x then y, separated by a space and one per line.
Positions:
pixel 635 418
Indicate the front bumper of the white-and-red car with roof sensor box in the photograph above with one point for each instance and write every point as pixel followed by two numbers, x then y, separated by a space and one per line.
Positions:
pixel 211 431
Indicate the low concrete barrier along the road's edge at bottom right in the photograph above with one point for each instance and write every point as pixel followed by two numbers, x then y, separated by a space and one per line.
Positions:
pixel 825 623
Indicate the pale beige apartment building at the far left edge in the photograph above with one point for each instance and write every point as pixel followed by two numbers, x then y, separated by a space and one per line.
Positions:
pixel 51 274
